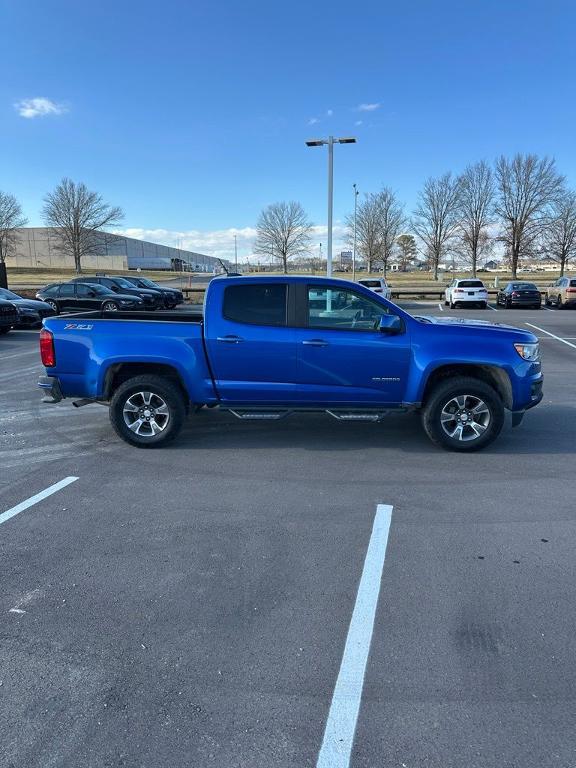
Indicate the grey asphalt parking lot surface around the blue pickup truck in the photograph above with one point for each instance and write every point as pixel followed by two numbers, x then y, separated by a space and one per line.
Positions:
pixel 209 604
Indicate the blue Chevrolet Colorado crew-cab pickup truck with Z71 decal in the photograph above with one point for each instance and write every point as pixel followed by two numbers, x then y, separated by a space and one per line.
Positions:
pixel 267 346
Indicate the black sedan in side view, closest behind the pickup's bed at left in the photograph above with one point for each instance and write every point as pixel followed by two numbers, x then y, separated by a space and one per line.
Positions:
pixel 70 297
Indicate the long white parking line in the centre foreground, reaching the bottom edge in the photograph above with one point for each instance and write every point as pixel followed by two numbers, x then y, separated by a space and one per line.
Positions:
pixel 341 724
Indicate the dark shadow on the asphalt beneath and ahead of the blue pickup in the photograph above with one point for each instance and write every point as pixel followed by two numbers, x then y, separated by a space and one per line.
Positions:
pixel 549 429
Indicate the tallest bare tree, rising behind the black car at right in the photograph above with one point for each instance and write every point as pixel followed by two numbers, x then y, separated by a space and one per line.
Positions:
pixel 528 188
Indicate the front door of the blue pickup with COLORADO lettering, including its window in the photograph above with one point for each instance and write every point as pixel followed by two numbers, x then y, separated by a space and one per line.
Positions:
pixel 342 356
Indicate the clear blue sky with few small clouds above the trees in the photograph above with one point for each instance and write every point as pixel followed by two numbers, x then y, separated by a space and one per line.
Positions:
pixel 192 115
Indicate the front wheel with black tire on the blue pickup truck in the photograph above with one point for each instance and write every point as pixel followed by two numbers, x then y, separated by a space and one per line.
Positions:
pixel 471 391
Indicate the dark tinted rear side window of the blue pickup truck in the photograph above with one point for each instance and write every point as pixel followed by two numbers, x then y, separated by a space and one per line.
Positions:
pixel 256 304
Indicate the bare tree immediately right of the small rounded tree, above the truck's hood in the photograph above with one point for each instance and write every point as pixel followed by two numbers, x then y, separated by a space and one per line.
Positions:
pixel 436 216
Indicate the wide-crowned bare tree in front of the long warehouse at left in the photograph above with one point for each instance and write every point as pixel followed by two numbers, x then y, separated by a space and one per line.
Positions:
pixel 77 217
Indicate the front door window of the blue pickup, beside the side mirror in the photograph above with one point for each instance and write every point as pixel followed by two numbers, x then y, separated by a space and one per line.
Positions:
pixel 342 310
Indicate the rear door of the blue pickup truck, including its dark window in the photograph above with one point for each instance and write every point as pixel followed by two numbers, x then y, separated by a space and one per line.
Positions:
pixel 251 349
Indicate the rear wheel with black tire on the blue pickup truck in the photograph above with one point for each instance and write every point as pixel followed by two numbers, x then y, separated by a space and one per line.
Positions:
pixel 162 391
